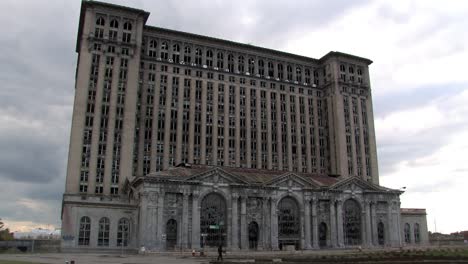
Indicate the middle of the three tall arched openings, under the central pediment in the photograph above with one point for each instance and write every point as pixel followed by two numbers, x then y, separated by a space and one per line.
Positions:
pixel 288 223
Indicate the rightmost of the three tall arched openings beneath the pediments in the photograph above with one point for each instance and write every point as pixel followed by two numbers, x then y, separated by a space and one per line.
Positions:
pixel 352 223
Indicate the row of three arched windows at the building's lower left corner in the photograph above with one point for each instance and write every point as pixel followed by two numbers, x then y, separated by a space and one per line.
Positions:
pixel 103 238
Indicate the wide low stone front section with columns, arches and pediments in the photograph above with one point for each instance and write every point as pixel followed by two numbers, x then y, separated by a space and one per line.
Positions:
pixel 219 209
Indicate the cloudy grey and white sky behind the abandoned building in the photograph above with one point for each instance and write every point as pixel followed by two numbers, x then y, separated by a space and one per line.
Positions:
pixel 419 83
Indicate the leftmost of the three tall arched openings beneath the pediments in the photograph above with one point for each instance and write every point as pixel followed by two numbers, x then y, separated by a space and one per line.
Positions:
pixel 213 221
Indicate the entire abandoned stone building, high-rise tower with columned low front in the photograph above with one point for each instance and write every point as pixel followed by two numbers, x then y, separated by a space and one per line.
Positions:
pixel 281 146
